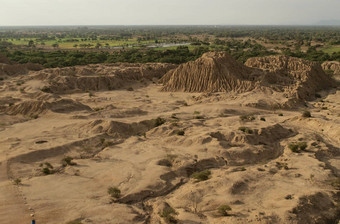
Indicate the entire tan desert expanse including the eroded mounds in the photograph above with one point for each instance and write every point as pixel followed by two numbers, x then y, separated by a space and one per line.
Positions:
pixel 208 141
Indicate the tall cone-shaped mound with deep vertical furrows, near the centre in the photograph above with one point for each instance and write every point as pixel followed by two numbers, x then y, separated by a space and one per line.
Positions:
pixel 213 72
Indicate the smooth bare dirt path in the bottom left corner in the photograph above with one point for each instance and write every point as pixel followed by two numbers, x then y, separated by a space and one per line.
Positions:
pixel 12 207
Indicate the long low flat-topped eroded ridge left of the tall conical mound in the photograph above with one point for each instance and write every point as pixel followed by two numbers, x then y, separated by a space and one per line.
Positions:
pixel 99 77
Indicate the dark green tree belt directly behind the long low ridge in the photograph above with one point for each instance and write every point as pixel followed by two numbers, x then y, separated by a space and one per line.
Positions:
pixel 71 58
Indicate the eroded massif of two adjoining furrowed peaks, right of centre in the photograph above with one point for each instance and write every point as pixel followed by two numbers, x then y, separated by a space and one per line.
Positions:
pixel 214 72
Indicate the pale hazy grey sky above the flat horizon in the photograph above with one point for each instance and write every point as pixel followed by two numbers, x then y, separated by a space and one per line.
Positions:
pixel 169 12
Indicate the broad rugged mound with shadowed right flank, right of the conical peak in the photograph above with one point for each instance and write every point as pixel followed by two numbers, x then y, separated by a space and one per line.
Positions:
pixel 297 78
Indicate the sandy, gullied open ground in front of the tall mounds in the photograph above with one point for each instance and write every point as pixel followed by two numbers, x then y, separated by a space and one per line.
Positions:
pixel 113 145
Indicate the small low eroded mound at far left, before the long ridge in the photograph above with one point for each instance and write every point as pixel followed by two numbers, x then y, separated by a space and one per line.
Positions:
pixel 35 107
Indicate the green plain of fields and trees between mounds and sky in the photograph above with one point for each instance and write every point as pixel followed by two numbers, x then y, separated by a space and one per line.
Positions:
pixel 68 46
